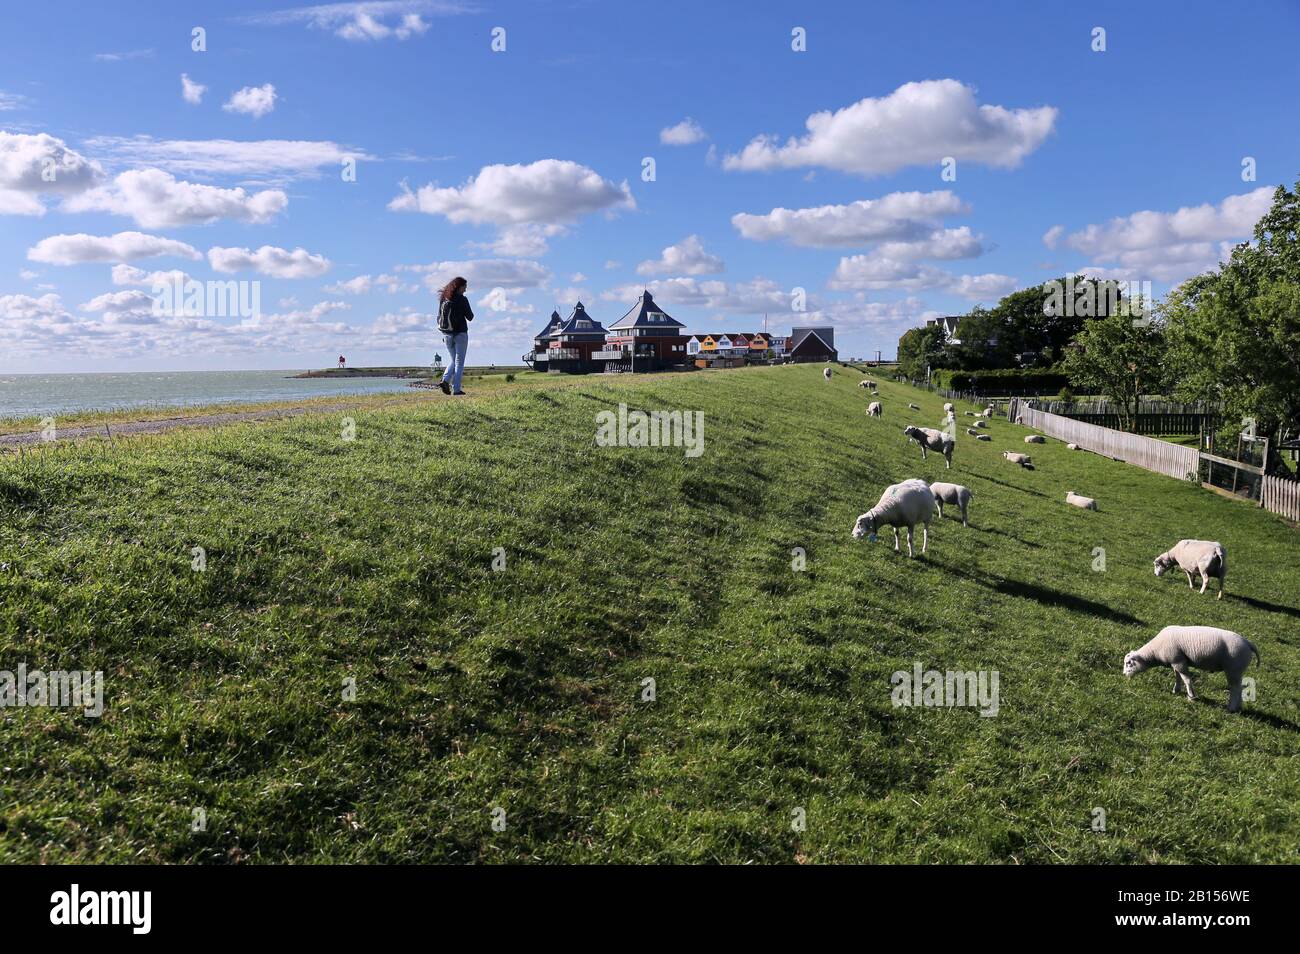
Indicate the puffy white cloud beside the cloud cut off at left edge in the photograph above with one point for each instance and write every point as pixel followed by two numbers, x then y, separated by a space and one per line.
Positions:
pixel 158 201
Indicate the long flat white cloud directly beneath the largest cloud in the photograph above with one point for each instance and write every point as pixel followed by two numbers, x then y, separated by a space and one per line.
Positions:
pixel 899 216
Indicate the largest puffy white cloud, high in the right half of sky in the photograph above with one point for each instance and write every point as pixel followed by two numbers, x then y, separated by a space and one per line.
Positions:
pixel 918 124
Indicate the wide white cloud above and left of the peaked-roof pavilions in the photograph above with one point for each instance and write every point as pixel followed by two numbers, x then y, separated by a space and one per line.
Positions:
pixel 549 192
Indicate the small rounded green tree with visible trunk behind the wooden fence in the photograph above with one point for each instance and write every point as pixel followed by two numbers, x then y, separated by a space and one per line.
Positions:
pixel 1120 358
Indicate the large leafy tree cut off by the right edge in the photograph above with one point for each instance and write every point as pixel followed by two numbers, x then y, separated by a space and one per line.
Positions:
pixel 1236 333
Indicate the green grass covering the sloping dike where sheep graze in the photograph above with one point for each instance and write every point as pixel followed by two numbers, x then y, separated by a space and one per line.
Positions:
pixel 522 690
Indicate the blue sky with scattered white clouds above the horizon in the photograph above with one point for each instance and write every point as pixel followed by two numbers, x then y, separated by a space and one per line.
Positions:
pixel 523 168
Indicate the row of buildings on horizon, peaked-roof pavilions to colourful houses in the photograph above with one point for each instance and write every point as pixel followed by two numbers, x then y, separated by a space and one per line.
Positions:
pixel 648 339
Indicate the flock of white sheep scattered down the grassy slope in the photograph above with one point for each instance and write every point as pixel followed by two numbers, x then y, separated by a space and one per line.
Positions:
pixel 1180 648
